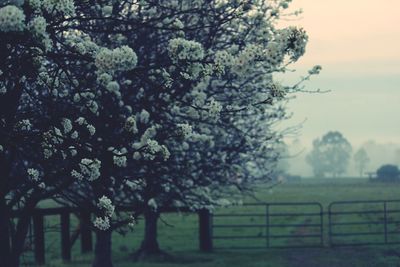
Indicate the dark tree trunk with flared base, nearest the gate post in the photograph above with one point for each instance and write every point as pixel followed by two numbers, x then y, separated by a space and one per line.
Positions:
pixel 149 244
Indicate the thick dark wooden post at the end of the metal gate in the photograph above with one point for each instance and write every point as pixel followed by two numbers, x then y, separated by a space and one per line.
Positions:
pixel 205 230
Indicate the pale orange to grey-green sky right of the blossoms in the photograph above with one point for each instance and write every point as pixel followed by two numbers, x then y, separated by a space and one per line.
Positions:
pixel 357 43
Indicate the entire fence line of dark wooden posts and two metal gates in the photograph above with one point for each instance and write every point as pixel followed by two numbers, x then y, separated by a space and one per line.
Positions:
pixel 251 226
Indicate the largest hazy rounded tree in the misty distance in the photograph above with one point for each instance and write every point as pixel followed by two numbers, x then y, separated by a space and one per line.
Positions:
pixel 330 155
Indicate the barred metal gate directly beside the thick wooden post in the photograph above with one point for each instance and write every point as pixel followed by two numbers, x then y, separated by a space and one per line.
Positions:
pixel 269 225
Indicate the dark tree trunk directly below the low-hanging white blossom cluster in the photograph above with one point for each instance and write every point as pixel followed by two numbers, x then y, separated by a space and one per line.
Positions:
pixel 102 250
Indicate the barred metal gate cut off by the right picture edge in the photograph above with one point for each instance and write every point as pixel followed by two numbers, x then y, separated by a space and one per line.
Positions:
pixel 353 223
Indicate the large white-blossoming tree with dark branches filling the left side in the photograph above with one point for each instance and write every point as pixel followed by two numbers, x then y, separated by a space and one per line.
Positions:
pixel 118 98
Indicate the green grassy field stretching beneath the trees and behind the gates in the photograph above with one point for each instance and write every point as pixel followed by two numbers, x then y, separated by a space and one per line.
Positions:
pixel 179 235
